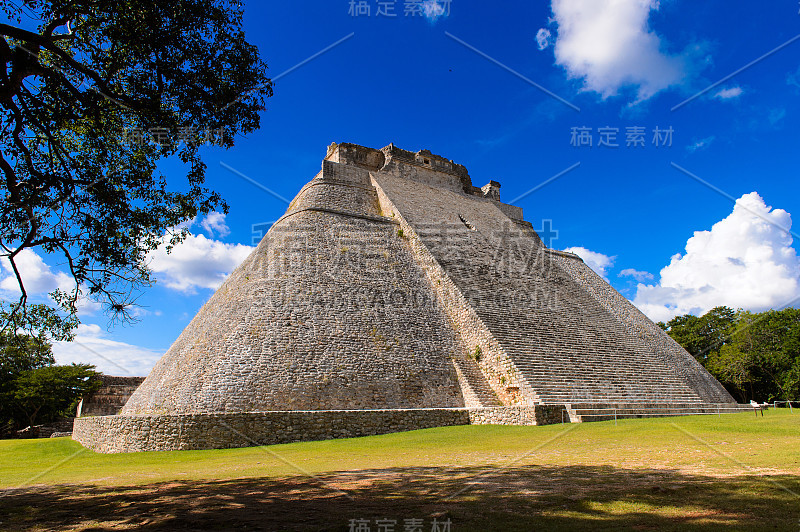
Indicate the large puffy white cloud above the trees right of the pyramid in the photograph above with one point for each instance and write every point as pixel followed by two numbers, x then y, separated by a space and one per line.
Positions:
pixel 745 261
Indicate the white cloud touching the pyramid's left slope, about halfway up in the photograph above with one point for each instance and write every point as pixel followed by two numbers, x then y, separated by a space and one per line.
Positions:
pixel 197 262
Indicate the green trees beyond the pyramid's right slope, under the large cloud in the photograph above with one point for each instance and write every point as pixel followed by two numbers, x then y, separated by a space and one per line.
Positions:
pixel 756 356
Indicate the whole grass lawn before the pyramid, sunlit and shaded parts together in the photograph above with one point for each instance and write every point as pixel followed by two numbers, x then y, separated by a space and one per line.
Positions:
pixel 737 472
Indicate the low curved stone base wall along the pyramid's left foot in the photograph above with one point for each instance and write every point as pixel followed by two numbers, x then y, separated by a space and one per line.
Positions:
pixel 114 434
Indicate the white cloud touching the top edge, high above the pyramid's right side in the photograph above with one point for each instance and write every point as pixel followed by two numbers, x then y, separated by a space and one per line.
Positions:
pixel 609 45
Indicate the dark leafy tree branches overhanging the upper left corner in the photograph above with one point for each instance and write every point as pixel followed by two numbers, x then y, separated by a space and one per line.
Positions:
pixel 91 99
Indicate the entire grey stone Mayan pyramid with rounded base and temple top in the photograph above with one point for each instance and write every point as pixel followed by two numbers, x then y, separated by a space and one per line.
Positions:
pixel 394 294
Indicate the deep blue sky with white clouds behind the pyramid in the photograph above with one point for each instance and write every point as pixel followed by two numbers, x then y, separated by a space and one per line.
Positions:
pixel 627 210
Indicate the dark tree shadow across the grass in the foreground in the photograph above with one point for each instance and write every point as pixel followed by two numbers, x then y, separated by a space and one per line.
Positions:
pixel 517 498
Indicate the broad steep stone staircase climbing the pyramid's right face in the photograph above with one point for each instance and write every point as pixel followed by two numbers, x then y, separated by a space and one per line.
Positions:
pixel 548 337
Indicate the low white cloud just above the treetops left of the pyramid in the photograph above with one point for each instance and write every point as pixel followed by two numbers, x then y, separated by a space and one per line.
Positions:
pixel 108 356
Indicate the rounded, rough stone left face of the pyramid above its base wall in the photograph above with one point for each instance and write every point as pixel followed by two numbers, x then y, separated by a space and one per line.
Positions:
pixel 330 311
